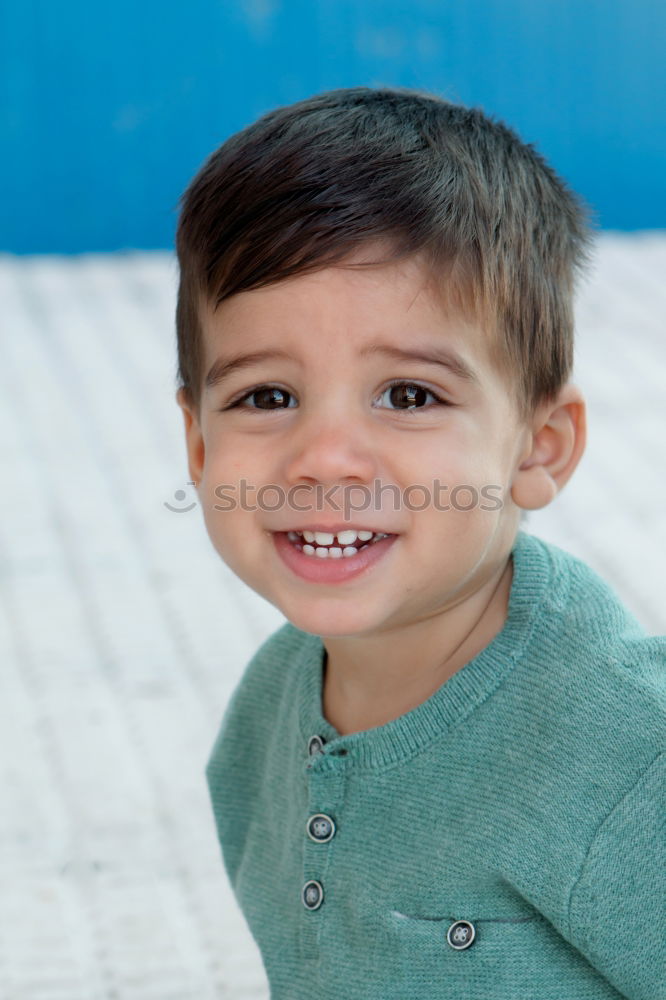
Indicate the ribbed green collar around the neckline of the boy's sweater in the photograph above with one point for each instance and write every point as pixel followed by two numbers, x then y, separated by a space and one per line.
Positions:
pixel 409 734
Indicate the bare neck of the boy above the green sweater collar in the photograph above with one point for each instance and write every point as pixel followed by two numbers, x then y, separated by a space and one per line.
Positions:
pixel 367 685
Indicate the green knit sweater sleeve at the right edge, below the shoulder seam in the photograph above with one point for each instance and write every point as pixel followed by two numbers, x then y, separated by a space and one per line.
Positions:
pixel 618 905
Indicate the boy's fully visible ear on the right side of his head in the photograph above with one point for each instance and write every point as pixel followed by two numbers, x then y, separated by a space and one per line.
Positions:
pixel 555 444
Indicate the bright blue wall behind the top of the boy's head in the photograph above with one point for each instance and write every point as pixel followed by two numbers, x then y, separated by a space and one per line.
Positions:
pixel 108 110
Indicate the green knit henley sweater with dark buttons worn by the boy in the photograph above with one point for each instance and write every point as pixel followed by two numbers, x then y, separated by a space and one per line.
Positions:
pixel 505 840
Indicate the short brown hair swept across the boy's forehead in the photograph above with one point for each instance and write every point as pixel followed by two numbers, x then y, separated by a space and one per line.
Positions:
pixel 307 184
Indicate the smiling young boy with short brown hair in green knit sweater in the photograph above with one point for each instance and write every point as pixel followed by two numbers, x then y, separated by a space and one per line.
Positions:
pixel 444 776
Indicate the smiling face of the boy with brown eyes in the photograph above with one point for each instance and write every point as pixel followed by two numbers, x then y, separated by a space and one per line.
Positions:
pixel 337 432
